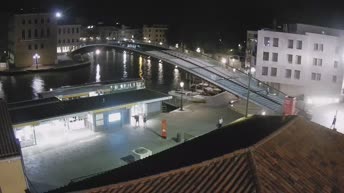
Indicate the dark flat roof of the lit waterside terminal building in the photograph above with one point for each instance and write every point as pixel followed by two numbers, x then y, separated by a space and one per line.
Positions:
pixel 49 108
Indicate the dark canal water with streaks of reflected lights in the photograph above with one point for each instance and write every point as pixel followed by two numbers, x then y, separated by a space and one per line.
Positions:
pixel 109 65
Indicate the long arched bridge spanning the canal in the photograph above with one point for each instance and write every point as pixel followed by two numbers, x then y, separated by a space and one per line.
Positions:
pixel 230 79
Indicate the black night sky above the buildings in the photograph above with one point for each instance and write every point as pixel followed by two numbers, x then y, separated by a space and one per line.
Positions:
pixel 200 22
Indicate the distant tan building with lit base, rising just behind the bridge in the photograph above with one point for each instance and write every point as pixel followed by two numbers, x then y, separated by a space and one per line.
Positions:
pixel 155 33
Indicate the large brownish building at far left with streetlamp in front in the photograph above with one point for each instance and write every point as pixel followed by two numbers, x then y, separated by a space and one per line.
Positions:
pixel 32 40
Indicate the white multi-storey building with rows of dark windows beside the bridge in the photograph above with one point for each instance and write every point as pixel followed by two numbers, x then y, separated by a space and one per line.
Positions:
pixel 302 61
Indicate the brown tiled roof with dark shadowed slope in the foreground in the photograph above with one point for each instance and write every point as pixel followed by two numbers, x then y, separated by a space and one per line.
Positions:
pixel 282 154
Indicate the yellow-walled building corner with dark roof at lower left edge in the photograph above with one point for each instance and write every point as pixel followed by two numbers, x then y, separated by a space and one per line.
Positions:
pixel 12 176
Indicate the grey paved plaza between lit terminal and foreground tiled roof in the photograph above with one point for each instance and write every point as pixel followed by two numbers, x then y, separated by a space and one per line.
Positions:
pixel 50 167
